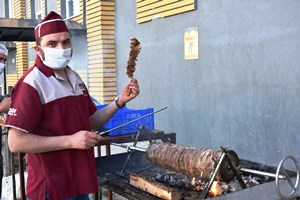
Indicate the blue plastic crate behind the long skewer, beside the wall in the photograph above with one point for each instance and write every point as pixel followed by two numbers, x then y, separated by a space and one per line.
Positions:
pixel 126 115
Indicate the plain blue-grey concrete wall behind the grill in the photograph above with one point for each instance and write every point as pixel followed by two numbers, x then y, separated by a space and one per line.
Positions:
pixel 243 91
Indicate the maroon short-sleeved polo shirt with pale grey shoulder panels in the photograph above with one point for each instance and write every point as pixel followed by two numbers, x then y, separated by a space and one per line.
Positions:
pixel 45 104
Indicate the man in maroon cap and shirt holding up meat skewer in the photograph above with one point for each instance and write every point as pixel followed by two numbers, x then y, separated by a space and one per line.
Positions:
pixel 52 117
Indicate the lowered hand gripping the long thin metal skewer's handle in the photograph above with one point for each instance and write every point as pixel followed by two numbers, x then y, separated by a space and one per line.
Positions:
pixel 85 140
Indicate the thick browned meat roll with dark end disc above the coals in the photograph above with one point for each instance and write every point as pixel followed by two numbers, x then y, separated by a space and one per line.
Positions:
pixel 194 162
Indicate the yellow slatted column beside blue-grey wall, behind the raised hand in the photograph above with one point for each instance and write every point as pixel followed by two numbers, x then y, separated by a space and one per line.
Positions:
pixel 100 16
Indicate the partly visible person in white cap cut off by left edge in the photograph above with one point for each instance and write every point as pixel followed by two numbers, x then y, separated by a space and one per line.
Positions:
pixel 4 106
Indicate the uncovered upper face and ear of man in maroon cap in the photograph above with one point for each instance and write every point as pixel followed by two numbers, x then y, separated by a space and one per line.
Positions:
pixel 56 40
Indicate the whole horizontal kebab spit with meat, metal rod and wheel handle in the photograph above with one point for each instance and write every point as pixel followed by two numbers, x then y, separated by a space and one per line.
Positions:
pixel 211 165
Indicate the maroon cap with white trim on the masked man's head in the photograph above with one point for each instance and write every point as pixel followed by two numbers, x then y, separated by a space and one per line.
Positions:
pixel 52 23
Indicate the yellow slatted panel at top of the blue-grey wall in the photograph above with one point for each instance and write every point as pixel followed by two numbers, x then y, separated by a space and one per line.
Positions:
pixel 152 9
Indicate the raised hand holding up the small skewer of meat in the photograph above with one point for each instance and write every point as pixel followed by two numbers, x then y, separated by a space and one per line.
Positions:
pixel 134 89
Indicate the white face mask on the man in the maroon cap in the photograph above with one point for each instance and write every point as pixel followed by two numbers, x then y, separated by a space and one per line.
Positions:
pixel 57 58
